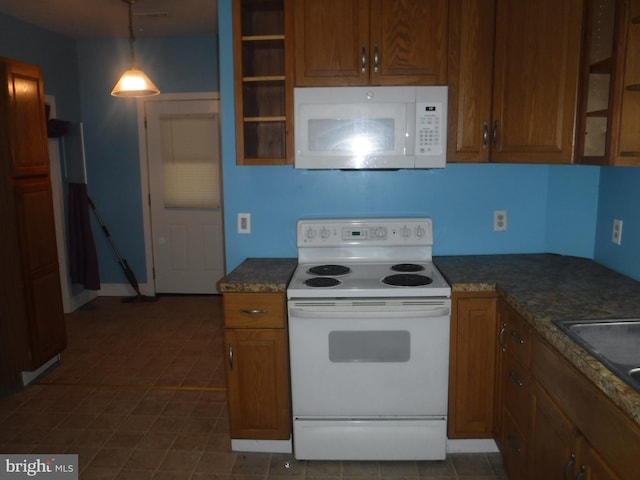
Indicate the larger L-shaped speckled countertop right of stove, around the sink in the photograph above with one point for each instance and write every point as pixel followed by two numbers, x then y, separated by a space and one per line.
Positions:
pixel 546 287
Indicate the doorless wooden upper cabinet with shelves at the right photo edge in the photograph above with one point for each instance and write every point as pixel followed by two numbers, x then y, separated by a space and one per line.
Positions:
pixel 608 130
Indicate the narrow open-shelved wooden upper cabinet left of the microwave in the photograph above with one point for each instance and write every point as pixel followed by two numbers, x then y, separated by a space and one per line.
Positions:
pixel 263 63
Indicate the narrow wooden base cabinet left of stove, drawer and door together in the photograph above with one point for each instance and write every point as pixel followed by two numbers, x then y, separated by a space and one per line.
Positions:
pixel 257 365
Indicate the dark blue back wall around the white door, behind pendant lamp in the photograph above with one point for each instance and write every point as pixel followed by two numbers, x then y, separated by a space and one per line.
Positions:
pixel 176 65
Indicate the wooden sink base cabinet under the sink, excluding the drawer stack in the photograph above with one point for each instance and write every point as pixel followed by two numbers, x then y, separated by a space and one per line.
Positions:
pixel 576 431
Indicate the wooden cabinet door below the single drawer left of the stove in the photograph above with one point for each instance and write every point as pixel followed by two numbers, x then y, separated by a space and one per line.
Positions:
pixel 258 383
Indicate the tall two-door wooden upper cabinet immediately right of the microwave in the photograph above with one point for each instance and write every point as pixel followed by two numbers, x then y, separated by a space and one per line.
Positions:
pixel 525 111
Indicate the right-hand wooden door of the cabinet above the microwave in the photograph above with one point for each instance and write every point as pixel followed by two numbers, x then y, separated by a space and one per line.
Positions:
pixel 408 42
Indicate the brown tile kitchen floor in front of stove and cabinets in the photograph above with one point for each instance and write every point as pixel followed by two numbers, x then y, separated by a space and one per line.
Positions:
pixel 140 394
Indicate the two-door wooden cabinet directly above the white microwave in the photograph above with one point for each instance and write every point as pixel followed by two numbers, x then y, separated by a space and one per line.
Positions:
pixel 370 42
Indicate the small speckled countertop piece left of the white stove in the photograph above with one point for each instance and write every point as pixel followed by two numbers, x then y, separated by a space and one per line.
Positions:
pixel 259 275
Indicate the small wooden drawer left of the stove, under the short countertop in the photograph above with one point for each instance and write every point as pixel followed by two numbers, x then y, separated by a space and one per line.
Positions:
pixel 254 310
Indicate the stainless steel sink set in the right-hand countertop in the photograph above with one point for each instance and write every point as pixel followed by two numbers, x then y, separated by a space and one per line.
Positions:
pixel 616 343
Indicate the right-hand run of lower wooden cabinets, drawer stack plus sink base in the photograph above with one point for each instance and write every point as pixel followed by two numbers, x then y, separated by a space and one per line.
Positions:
pixel 551 421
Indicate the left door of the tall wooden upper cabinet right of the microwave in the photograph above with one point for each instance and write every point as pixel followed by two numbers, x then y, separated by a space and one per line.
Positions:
pixel 470 78
